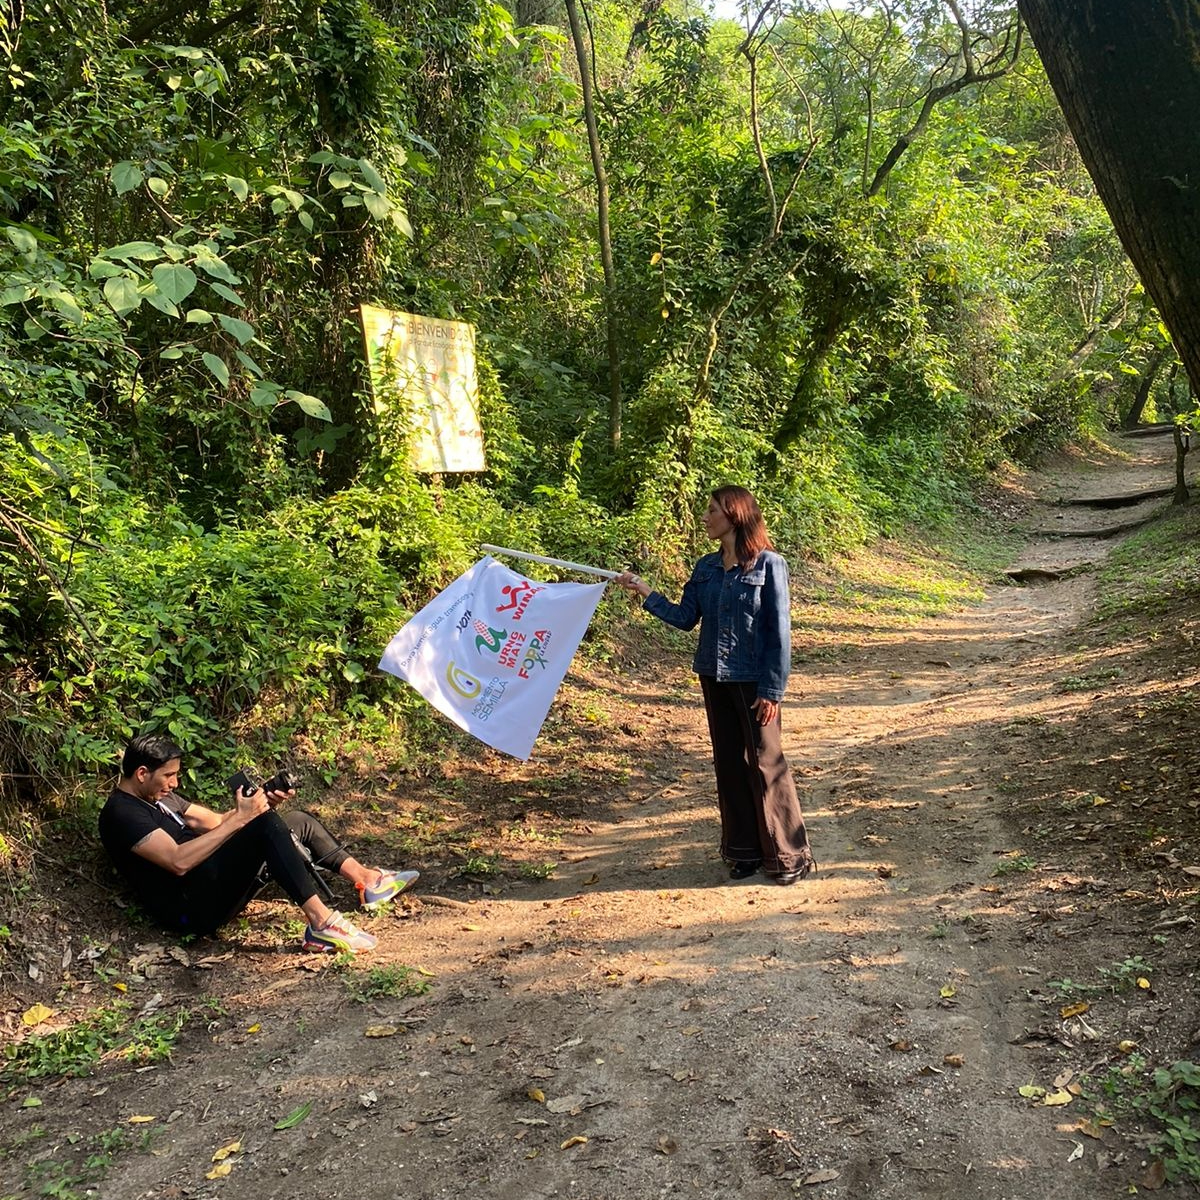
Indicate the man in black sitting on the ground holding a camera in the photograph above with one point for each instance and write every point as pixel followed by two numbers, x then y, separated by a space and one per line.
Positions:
pixel 194 869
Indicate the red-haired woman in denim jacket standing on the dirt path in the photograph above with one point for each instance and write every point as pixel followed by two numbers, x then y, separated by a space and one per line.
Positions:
pixel 741 598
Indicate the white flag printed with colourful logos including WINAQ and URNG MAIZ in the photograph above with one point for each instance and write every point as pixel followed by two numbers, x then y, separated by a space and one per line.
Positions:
pixel 491 651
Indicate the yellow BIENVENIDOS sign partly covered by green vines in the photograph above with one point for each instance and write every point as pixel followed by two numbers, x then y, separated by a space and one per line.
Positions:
pixel 430 367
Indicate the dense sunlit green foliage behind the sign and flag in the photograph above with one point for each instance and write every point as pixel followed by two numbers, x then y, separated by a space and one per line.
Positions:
pixel 207 524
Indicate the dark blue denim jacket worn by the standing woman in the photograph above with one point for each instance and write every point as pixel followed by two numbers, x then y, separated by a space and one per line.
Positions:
pixel 746 632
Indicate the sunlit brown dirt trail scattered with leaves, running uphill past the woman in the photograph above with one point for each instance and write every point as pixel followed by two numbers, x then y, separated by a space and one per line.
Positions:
pixel 862 1034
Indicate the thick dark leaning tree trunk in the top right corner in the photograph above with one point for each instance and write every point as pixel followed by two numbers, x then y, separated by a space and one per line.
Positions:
pixel 1129 80
